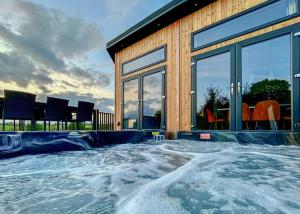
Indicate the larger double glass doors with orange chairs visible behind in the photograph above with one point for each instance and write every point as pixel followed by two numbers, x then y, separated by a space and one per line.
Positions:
pixel 252 85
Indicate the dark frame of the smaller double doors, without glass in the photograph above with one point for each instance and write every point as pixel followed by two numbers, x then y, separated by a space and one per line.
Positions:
pixel 140 77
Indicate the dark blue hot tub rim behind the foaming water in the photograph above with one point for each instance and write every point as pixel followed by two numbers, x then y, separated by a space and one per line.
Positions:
pixel 26 143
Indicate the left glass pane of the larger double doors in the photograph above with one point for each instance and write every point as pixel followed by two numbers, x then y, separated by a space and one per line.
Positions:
pixel 213 94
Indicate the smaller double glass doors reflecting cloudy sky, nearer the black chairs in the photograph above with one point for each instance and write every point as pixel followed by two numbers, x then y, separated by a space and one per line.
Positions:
pixel 144 101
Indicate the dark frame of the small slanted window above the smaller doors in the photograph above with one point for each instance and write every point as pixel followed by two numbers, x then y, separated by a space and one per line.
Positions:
pixel 149 65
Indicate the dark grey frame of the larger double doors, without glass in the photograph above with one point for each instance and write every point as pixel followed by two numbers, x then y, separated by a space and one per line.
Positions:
pixel 236 76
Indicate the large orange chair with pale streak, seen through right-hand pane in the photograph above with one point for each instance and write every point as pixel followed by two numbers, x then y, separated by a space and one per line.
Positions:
pixel 268 110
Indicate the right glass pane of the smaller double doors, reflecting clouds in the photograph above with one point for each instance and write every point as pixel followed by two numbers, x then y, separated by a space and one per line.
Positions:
pixel 152 93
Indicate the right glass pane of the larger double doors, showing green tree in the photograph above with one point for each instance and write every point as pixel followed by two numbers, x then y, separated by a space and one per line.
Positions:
pixel 266 77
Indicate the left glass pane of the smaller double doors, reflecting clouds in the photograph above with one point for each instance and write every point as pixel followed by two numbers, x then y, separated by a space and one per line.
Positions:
pixel 131 104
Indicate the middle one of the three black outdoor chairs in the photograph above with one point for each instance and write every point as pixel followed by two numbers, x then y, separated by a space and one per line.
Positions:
pixel 55 110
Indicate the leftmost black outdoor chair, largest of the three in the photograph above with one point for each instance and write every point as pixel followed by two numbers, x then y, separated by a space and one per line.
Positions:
pixel 18 106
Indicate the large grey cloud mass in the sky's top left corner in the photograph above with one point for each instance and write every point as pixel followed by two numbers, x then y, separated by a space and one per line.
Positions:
pixel 48 32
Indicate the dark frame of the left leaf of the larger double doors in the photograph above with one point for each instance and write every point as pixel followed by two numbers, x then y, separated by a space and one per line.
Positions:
pixel 232 106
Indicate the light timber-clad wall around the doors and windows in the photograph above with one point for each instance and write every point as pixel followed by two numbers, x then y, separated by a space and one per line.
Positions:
pixel 177 37
